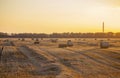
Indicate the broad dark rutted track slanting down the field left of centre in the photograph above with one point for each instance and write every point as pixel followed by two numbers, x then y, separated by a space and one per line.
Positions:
pixel 42 64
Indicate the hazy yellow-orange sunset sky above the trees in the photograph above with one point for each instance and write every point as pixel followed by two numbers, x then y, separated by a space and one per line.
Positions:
pixel 48 16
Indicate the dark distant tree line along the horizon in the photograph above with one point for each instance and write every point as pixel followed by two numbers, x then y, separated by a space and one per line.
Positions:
pixel 61 35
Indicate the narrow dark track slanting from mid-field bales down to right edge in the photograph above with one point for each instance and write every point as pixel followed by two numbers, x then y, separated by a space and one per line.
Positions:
pixel 96 60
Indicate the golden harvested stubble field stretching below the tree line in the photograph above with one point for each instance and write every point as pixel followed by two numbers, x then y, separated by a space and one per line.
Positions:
pixel 24 59
